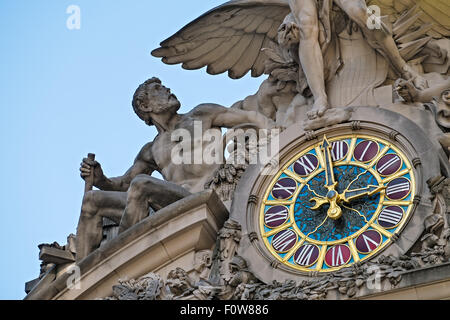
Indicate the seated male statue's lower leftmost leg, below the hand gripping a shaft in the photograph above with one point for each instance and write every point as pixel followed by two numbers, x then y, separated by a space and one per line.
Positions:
pixel 96 205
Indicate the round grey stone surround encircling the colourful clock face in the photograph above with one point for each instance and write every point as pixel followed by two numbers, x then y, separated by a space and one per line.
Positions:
pixel 426 158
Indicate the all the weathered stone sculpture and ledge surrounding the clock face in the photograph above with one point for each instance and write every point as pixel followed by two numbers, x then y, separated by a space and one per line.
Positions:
pixel 171 236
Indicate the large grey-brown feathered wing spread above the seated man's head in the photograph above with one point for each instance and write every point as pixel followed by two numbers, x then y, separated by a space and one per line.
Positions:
pixel 227 38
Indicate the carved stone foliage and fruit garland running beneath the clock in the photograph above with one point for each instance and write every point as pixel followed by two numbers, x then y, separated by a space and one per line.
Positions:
pixel 230 277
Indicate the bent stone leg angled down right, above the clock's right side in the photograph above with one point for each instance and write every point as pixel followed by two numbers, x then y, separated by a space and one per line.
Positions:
pixel 380 38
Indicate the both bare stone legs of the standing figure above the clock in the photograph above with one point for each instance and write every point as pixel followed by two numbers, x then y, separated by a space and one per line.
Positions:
pixel 310 48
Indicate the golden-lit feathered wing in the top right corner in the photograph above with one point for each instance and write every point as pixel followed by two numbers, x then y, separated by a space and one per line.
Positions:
pixel 432 15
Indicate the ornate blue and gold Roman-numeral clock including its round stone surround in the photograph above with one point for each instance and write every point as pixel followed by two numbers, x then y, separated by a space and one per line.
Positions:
pixel 339 197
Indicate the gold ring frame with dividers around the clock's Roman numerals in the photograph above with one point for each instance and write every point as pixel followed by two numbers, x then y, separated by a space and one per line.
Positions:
pixel 370 166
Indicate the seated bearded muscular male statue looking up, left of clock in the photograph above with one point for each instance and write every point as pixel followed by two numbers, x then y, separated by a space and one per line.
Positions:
pixel 127 199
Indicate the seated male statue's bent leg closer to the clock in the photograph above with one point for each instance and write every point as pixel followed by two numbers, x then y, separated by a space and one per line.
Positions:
pixel 145 192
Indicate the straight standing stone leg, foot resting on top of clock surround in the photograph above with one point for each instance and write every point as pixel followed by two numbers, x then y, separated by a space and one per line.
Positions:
pixel 311 59
